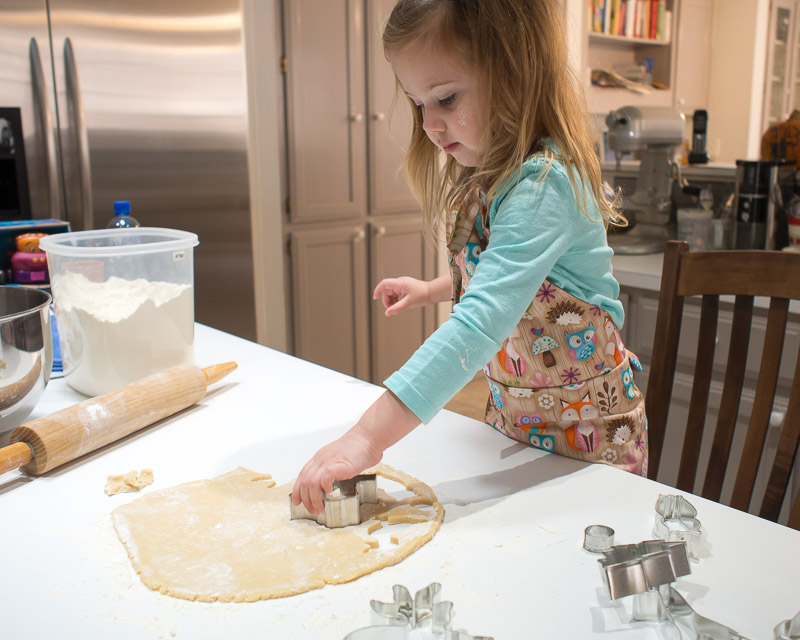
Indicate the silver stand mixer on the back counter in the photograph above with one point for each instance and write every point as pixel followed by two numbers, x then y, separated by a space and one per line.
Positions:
pixel 655 133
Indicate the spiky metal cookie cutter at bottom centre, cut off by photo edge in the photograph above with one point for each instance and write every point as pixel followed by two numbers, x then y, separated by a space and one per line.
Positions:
pixel 395 620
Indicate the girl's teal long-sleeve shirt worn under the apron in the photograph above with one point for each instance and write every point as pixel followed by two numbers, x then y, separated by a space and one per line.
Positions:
pixel 537 231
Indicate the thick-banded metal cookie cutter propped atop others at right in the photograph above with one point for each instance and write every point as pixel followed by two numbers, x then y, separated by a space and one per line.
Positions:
pixel 635 568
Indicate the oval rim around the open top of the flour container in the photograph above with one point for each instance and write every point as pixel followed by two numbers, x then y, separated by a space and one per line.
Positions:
pixel 116 242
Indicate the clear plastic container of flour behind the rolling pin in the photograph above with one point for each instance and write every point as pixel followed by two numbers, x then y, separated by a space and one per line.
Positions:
pixel 124 301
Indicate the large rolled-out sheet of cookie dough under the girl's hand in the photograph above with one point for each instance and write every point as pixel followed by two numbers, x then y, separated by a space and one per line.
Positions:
pixel 230 539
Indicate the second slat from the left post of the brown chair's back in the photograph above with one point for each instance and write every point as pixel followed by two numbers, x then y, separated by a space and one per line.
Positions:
pixel 731 395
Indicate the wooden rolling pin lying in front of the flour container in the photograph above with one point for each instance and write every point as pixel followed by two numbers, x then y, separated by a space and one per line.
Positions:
pixel 45 443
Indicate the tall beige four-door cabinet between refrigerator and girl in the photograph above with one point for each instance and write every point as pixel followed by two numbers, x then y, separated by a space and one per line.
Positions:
pixel 351 220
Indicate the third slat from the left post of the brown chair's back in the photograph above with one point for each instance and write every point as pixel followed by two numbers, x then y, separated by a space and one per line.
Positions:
pixel 762 406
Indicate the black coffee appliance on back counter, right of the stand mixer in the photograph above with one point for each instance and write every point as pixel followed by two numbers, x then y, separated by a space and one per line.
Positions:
pixel 761 193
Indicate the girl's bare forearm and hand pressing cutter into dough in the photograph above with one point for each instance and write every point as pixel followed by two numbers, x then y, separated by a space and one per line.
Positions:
pixel 383 424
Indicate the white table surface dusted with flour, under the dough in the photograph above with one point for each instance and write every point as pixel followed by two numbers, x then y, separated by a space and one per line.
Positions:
pixel 508 554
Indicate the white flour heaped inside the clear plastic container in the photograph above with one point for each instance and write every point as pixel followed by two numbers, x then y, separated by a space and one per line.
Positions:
pixel 118 331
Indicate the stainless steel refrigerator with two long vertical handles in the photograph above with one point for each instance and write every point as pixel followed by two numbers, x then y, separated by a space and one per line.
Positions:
pixel 140 100
